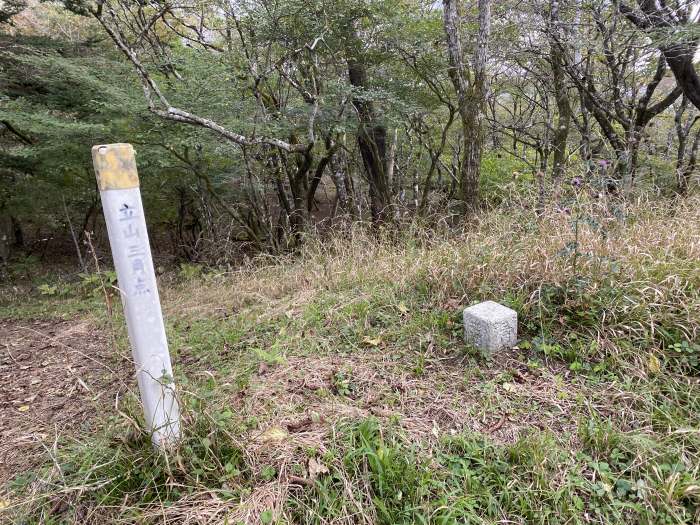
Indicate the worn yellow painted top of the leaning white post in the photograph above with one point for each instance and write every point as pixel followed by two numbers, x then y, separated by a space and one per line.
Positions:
pixel 115 166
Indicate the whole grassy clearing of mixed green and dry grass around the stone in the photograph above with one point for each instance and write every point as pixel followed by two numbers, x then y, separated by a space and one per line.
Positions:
pixel 333 386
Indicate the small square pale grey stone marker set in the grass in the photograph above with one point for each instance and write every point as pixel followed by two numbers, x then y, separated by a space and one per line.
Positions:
pixel 490 326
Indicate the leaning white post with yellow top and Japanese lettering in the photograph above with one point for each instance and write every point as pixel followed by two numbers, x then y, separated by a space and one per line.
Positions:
pixel 118 181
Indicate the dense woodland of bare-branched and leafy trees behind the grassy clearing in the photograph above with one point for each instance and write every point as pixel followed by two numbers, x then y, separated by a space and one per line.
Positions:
pixel 256 123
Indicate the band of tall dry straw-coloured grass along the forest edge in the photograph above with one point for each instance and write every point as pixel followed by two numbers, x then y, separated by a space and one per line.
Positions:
pixel 502 251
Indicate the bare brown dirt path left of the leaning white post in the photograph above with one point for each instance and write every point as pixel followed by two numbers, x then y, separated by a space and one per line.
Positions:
pixel 53 376
